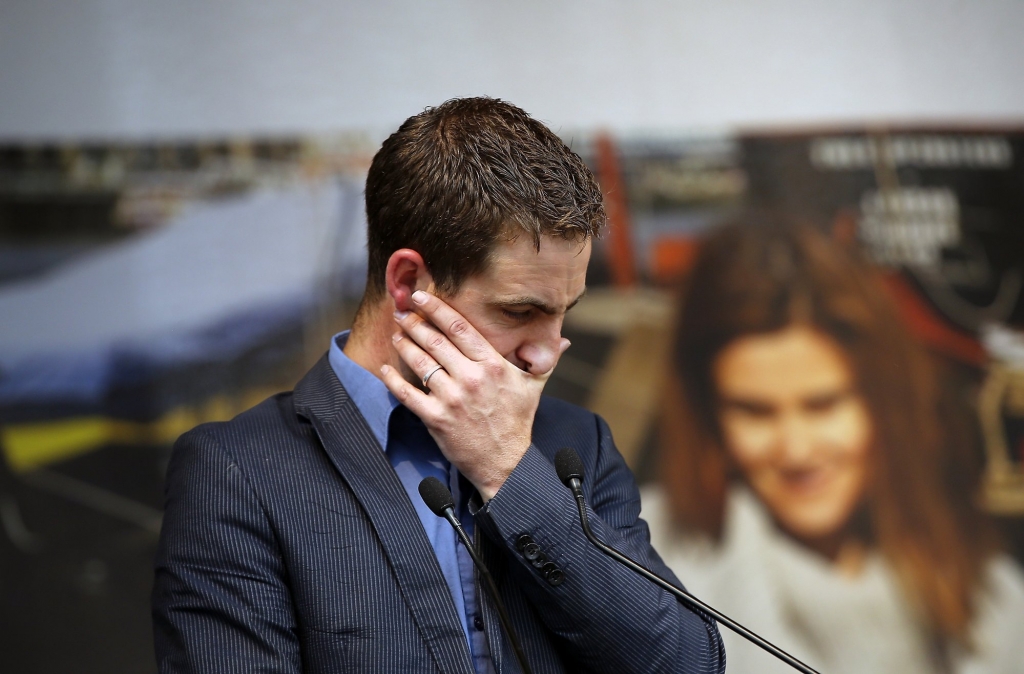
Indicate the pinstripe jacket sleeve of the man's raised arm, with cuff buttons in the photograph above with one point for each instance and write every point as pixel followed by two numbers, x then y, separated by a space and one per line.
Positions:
pixel 611 619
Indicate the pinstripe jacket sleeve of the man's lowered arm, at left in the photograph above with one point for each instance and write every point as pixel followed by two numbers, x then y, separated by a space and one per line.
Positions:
pixel 221 601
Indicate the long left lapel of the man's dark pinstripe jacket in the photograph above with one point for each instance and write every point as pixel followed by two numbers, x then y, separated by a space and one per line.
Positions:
pixel 356 453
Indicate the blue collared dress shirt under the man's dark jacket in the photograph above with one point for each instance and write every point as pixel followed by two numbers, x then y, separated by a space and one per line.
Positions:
pixel 415 455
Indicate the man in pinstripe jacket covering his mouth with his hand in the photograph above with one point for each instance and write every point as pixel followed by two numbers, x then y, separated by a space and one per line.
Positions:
pixel 294 538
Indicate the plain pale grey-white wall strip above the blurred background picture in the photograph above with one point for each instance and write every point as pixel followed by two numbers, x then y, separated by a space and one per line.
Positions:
pixel 124 68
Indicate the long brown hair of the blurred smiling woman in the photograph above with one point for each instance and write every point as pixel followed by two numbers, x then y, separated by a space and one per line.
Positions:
pixel 762 275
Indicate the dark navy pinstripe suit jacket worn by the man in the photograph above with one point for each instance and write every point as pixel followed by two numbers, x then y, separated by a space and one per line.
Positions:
pixel 290 545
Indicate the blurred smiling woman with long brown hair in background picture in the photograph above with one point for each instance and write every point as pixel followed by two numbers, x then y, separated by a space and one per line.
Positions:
pixel 813 487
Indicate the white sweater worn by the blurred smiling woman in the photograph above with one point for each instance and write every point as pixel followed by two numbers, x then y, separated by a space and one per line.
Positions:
pixel 837 624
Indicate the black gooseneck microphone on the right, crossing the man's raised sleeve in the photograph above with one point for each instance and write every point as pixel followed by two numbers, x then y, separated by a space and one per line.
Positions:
pixel 571 473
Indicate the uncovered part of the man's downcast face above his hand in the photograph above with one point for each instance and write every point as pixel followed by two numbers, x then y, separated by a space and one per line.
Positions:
pixel 520 302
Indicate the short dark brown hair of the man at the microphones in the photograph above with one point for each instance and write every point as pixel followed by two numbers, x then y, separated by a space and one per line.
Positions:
pixel 454 179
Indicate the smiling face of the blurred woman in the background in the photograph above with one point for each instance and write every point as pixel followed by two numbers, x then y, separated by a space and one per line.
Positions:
pixel 794 423
